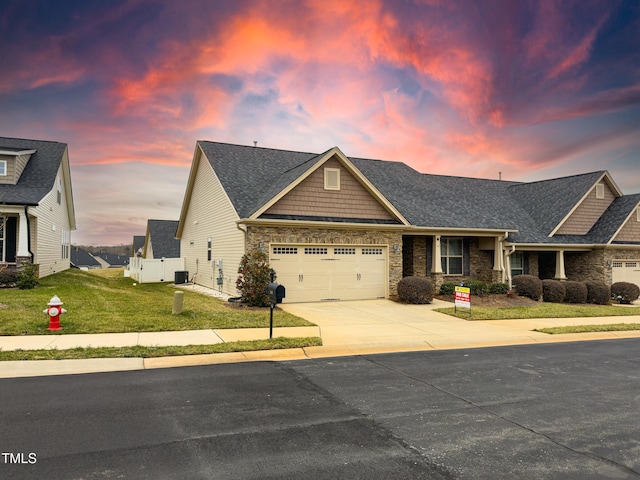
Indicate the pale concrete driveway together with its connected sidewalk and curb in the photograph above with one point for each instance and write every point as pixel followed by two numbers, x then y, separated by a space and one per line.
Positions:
pixel 346 328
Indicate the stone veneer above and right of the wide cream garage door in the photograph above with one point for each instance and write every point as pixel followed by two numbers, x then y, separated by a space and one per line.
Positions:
pixel 328 236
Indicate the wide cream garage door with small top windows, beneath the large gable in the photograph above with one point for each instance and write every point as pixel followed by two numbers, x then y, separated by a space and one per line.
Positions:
pixel 312 273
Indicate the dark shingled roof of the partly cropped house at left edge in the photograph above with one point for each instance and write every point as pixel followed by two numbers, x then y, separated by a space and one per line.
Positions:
pixel 39 175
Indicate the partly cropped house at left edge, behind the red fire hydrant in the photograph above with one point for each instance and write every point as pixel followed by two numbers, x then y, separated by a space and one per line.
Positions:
pixel 36 205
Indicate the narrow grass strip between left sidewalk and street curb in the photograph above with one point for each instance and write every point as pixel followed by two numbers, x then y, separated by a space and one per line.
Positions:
pixel 138 351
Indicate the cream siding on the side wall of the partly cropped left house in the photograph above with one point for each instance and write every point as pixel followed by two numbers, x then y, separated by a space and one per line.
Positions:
pixel 52 220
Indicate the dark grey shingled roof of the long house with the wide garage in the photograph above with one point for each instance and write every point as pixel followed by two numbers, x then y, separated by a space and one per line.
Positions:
pixel 253 176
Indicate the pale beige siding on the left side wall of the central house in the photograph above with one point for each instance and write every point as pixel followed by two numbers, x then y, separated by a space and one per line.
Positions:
pixel 211 214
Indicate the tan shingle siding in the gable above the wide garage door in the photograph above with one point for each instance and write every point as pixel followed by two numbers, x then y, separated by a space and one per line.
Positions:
pixel 310 198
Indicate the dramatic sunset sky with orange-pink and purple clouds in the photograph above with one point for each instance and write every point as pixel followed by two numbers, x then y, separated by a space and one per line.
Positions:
pixel 532 89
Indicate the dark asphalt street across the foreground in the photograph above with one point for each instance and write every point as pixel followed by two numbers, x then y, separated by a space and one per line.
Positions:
pixel 550 411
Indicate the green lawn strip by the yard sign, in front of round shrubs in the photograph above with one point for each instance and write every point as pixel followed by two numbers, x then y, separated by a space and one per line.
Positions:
pixel 543 310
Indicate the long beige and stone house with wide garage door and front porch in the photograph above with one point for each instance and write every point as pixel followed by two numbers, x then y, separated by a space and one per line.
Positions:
pixel 349 228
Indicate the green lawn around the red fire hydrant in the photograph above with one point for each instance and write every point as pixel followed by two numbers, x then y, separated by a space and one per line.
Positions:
pixel 104 301
